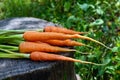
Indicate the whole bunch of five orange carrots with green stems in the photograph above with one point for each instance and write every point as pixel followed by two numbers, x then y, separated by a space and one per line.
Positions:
pixel 41 43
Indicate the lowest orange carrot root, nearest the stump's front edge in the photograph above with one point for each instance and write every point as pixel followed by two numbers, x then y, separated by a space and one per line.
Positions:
pixel 41 56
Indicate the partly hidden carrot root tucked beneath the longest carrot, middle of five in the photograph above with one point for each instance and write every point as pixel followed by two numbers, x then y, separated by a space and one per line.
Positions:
pixel 67 42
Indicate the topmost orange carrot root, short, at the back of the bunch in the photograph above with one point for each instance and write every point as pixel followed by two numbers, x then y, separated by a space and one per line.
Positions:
pixel 61 30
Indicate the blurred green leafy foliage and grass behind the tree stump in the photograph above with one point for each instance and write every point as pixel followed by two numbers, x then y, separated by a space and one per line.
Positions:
pixel 101 18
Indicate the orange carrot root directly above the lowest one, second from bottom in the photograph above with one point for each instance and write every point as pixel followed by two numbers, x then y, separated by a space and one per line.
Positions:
pixel 32 46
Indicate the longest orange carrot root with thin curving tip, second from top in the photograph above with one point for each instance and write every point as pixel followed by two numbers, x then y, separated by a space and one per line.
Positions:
pixel 42 36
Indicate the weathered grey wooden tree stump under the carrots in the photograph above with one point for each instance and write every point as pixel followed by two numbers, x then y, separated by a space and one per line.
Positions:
pixel 17 69
